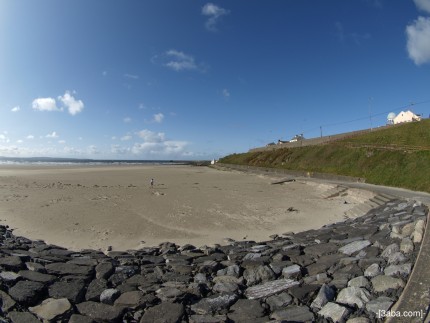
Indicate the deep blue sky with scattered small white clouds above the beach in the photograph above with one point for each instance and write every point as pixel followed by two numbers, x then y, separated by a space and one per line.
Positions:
pixel 198 80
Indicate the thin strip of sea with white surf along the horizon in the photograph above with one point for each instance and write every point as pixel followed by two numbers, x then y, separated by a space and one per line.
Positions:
pixel 49 161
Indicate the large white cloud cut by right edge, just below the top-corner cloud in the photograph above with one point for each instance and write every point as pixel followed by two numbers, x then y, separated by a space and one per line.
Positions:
pixel 418 40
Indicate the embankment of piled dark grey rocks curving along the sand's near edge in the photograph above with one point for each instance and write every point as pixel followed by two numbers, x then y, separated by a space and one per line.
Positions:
pixel 349 271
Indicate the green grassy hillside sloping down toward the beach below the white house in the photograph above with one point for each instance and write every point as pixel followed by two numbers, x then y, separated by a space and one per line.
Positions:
pixel 397 156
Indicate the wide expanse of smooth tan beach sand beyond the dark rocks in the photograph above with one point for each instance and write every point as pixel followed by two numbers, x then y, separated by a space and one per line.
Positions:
pixel 95 207
